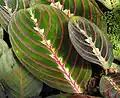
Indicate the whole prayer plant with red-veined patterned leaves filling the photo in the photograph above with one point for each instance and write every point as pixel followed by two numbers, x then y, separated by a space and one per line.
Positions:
pixel 57 42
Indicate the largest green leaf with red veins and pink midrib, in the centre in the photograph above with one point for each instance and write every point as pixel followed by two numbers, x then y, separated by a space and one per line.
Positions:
pixel 39 37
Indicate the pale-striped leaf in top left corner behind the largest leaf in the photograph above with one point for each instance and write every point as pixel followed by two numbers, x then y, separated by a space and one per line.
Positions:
pixel 8 8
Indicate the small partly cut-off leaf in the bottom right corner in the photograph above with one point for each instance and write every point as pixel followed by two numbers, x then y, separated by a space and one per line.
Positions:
pixel 110 86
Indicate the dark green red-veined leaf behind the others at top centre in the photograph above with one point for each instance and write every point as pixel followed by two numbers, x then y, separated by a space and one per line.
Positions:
pixel 84 8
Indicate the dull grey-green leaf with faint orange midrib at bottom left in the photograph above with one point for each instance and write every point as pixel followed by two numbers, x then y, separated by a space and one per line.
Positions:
pixel 18 82
